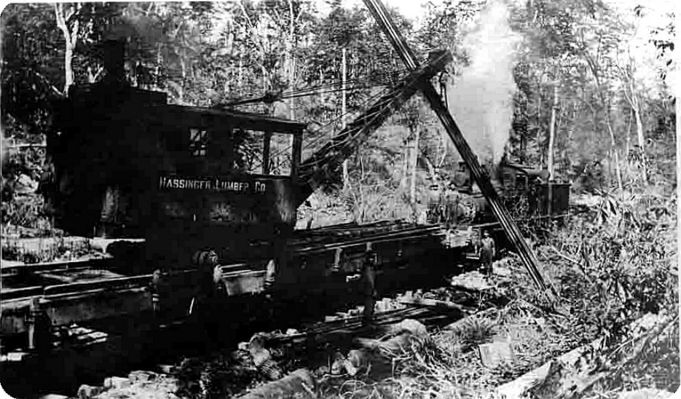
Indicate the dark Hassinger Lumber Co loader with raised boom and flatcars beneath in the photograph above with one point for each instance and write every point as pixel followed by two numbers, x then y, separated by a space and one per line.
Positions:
pixel 214 193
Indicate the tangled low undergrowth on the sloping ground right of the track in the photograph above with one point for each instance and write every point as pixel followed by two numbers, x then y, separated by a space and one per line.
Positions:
pixel 610 266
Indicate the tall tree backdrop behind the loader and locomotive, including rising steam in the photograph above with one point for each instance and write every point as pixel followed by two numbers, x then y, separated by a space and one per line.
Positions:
pixel 580 88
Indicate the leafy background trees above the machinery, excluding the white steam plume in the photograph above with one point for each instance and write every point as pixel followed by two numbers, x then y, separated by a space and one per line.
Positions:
pixel 289 52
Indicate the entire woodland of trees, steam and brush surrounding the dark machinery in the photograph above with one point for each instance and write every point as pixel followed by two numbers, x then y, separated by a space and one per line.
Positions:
pixel 580 88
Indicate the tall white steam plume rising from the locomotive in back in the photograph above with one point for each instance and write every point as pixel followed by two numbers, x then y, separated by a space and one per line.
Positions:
pixel 481 100
